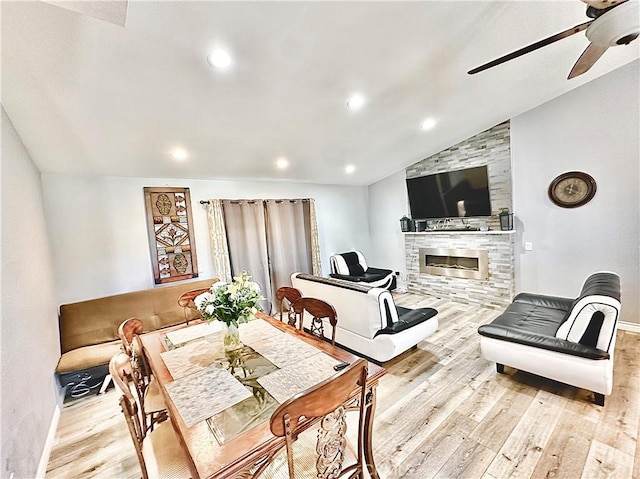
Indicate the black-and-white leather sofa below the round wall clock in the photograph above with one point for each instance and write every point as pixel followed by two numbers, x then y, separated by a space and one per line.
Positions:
pixel 565 339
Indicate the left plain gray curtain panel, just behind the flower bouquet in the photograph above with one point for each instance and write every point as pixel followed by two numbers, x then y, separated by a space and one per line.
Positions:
pixel 245 224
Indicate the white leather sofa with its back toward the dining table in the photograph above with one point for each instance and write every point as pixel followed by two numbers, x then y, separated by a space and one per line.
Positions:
pixel 369 322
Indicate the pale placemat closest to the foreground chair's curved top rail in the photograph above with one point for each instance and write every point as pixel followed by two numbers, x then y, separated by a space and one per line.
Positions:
pixel 285 383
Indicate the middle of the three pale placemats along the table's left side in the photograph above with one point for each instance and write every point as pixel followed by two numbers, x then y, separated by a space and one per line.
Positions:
pixel 193 357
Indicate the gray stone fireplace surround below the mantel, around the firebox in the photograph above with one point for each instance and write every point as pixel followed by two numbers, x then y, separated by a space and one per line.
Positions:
pixel 495 292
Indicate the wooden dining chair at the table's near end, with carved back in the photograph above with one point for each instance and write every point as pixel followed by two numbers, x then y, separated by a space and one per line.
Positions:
pixel 324 452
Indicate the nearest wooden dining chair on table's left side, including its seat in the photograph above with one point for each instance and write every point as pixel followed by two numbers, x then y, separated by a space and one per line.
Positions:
pixel 159 451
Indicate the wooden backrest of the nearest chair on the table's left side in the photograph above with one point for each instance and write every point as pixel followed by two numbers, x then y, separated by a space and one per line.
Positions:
pixel 122 373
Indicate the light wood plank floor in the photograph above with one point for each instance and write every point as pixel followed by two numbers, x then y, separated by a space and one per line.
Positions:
pixel 442 412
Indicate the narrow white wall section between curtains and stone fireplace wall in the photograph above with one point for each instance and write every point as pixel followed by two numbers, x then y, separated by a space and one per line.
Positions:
pixel 387 204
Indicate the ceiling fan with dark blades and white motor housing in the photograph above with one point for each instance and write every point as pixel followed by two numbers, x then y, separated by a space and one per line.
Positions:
pixel 613 23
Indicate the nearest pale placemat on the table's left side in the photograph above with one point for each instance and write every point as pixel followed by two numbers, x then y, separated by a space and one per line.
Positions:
pixel 204 394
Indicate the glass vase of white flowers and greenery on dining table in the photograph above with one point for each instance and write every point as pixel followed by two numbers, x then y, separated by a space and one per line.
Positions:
pixel 232 303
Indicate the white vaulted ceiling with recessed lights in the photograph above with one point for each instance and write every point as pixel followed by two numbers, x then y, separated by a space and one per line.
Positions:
pixel 94 98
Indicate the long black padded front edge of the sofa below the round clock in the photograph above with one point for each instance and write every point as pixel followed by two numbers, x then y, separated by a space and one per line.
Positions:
pixel 551 343
